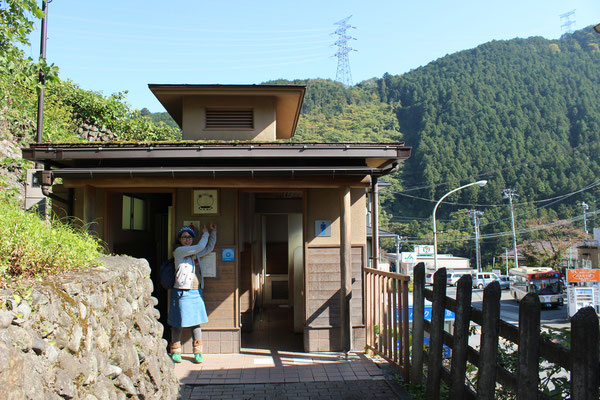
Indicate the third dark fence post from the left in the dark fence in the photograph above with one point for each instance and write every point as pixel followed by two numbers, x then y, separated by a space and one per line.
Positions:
pixel 458 365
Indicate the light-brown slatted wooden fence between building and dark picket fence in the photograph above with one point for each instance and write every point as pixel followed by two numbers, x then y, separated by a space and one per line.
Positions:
pixel 387 317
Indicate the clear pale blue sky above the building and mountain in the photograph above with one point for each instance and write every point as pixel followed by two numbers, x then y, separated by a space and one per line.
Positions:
pixel 113 46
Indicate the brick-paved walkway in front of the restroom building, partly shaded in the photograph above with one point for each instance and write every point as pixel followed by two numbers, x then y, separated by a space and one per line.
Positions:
pixel 273 374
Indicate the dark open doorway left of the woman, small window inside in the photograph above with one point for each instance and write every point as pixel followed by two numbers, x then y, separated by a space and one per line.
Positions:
pixel 139 225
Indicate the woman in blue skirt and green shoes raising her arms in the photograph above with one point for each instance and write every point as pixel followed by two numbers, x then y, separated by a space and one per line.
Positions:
pixel 187 306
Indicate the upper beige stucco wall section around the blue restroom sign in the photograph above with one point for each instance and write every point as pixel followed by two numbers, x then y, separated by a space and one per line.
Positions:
pixel 324 204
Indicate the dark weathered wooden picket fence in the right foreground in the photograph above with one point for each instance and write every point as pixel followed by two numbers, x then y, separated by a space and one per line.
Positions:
pixel 581 359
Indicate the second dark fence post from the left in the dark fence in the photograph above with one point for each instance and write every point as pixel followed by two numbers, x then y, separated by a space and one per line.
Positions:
pixel 438 309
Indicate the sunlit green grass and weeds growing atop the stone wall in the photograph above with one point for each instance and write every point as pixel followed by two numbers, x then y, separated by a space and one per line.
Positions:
pixel 33 248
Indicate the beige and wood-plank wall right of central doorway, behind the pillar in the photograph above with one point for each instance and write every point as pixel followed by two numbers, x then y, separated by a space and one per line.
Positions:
pixel 322 270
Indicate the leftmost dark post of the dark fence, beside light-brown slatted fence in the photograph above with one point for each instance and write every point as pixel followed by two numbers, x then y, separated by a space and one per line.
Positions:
pixel 418 318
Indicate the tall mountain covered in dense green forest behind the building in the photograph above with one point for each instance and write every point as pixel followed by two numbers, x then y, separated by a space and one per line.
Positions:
pixel 522 113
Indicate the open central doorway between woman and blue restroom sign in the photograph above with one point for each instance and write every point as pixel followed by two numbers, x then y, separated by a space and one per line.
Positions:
pixel 272 270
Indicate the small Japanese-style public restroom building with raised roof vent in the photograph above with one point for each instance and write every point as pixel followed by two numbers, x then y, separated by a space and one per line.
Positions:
pixel 291 216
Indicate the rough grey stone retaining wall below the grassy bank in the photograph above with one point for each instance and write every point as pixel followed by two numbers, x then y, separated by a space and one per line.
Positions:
pixel 91 334
